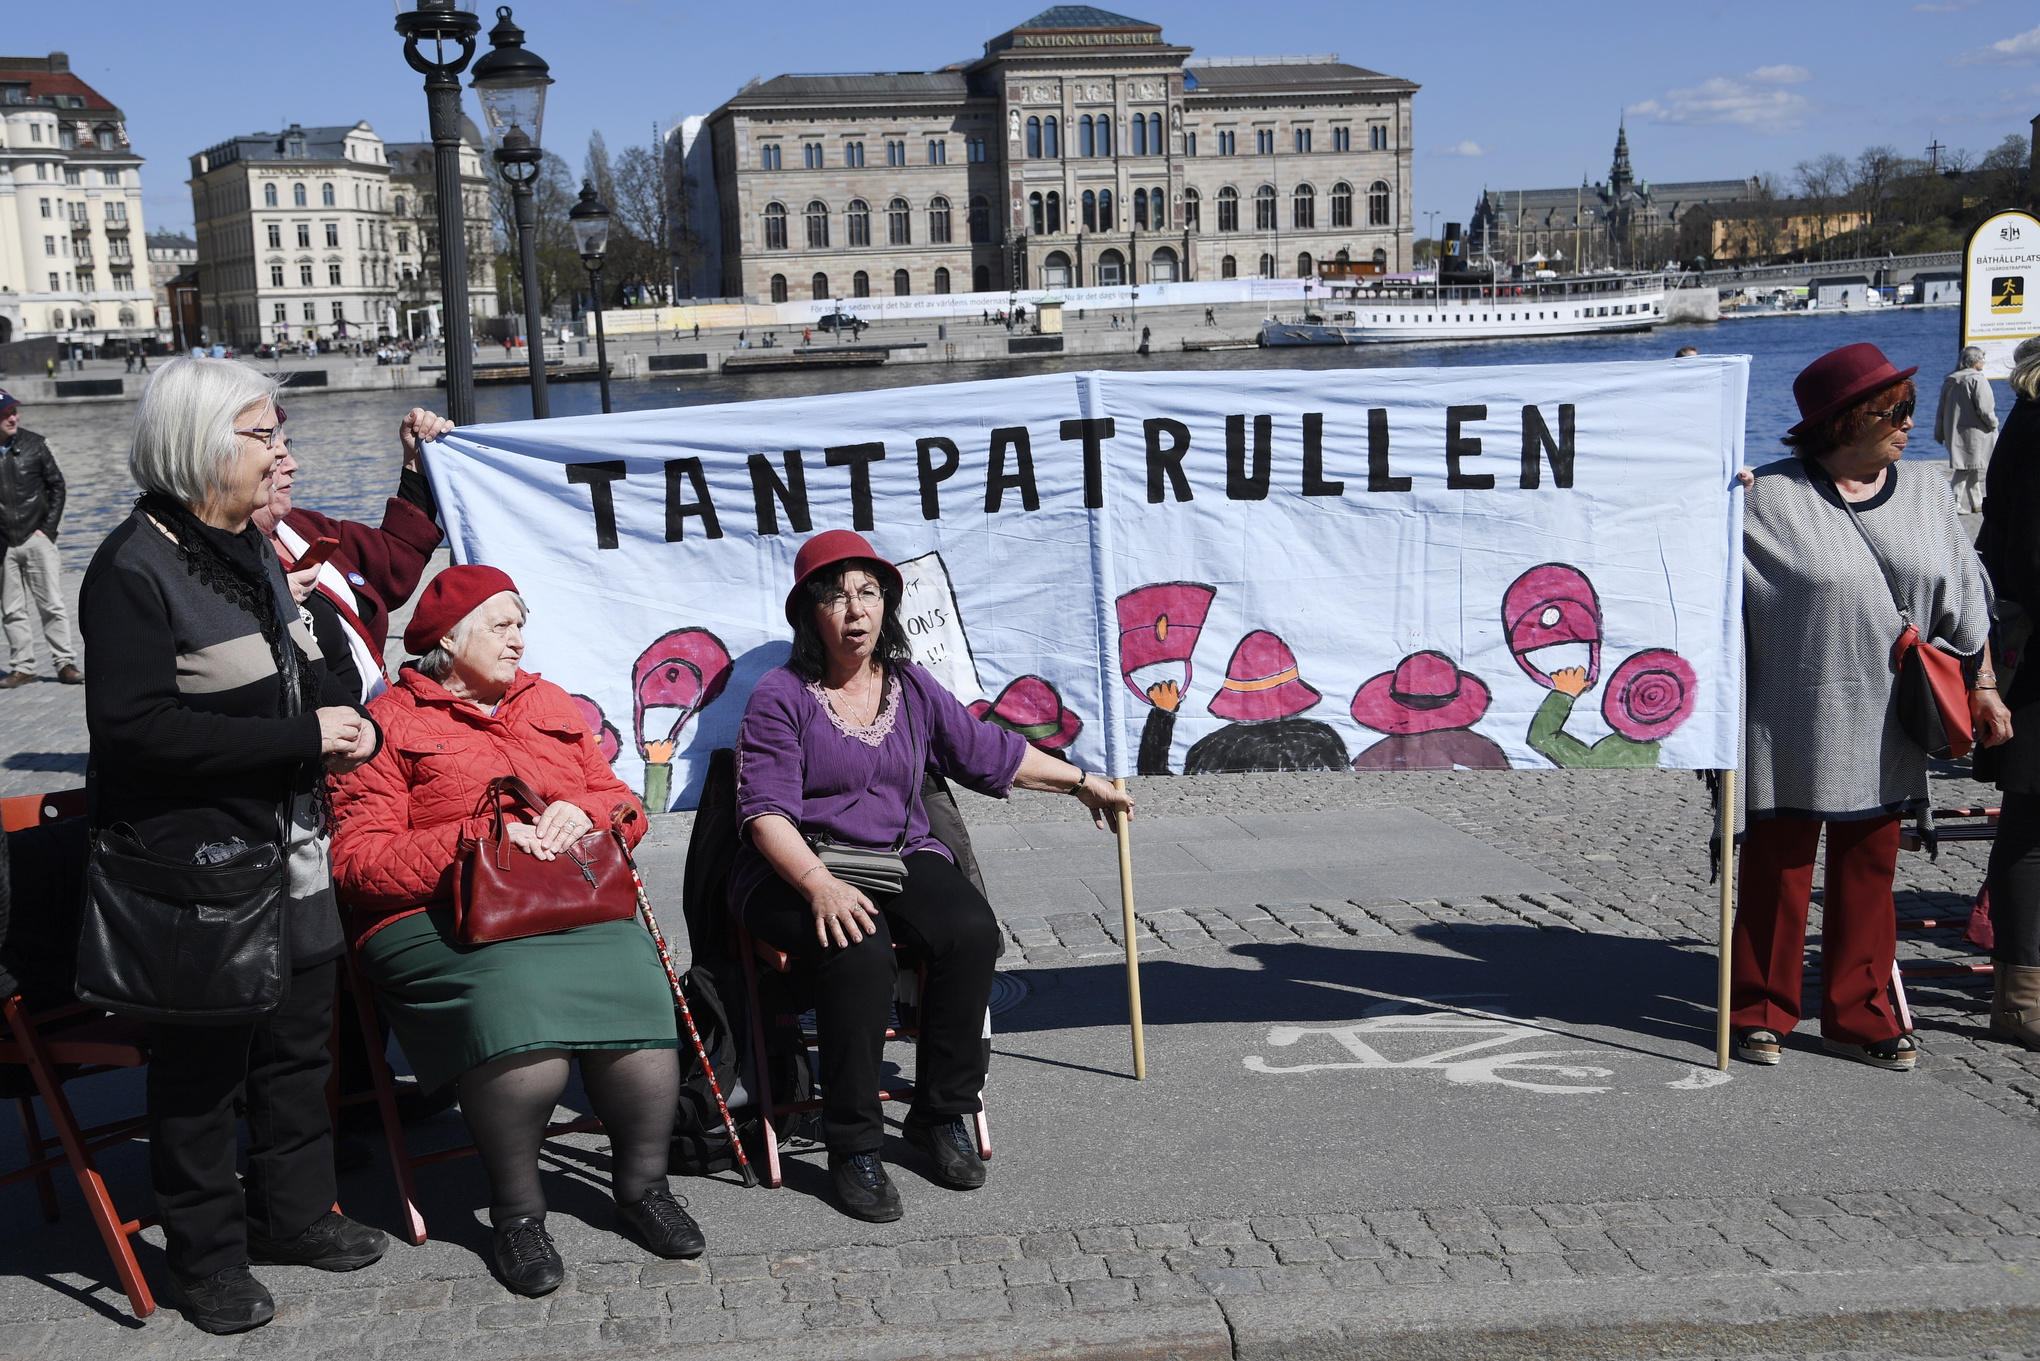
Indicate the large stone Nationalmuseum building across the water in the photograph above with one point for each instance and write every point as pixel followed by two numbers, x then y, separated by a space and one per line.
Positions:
pixel 1082 150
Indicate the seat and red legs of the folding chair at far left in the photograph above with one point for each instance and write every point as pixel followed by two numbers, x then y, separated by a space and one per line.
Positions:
pixel 97 1044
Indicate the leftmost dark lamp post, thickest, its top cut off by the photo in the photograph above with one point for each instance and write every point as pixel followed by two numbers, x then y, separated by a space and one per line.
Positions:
pixel 446 23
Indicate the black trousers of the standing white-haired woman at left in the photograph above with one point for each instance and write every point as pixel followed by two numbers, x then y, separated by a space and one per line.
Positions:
pixel 278 1070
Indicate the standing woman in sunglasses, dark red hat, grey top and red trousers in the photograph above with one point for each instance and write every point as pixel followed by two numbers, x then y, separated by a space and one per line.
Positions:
pixel 1823 534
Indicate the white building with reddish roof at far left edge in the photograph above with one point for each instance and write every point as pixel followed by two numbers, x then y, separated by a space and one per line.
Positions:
pixel 70 211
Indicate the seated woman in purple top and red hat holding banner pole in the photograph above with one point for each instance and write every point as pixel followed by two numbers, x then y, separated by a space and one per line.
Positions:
pixel 835 744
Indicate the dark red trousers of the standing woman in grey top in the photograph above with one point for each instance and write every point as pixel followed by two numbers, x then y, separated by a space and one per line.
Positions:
pixel 1857 940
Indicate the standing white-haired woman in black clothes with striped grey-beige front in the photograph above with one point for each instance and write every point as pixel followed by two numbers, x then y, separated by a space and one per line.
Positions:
pixel 213 723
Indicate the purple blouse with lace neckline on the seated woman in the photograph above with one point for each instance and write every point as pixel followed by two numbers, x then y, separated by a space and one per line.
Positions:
pixel 797 758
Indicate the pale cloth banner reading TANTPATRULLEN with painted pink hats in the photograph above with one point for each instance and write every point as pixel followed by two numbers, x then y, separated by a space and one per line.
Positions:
pixel 1158 574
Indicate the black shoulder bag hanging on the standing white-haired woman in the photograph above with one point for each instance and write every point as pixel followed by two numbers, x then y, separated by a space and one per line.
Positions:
pixel 183 944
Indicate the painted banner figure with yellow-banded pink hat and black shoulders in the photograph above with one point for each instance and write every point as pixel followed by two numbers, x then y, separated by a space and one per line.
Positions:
pixel 1264 697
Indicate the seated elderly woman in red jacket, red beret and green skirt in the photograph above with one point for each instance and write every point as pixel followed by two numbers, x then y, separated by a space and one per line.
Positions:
pixel 505 1019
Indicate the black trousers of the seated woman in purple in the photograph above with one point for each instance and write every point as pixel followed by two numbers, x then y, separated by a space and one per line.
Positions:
pixel 941 921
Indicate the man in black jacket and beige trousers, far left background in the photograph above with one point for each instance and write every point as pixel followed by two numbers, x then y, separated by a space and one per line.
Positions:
pixel 32 505
